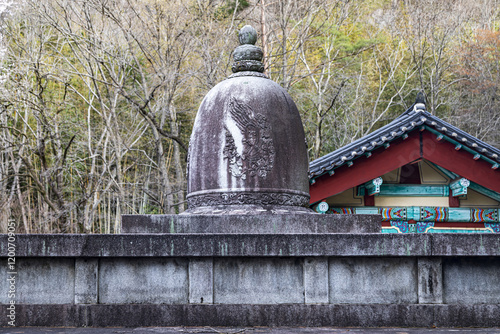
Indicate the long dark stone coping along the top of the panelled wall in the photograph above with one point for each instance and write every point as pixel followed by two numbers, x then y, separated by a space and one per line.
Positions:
pixel 259 245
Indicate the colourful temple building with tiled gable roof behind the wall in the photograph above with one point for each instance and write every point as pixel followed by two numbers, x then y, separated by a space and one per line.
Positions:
pixel 420 173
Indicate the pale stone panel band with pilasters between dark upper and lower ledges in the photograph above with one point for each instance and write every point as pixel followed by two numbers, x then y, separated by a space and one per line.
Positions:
pixel 297 280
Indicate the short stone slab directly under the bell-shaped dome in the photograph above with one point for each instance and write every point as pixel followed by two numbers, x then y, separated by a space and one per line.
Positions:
pixel 287 223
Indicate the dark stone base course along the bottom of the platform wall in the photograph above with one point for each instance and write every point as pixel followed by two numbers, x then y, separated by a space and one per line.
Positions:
pixel 312 315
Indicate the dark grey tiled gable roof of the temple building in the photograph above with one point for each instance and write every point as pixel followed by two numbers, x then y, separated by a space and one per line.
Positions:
pixel 414 118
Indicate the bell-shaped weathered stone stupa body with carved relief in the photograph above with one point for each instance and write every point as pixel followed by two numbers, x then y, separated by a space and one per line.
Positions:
pixel 247 148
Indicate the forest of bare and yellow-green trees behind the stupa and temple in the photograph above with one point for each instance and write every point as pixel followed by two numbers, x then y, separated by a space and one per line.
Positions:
pixel 98 97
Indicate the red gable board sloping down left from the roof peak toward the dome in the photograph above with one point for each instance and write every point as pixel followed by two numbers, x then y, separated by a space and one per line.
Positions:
pixel 400 153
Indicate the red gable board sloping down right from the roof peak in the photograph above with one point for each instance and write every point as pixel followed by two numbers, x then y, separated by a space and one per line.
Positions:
pixel 460 162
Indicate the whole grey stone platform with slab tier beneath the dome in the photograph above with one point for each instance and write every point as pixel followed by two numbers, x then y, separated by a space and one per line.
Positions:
pixel 266 278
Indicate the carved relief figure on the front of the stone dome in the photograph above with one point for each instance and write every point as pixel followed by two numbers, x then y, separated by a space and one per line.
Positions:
pixel 258 154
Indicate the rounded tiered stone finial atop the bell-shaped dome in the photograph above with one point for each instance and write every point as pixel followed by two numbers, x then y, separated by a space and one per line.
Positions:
pixel 247 56
